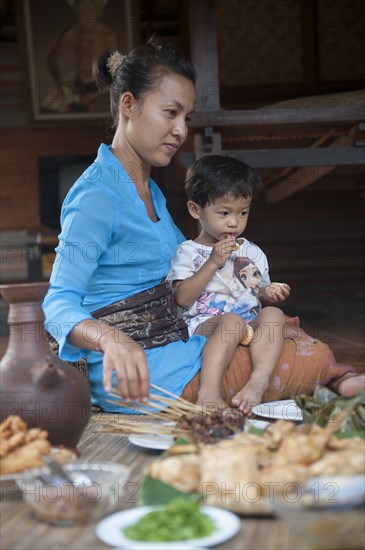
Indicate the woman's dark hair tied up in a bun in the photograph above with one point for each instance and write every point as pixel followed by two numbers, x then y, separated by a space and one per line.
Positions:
pixel 141 71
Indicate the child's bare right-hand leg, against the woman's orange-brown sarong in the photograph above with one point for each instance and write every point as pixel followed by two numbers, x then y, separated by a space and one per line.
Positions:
pixel 265 351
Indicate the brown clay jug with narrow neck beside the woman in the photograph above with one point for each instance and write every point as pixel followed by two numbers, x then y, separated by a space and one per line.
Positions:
pixel 35 384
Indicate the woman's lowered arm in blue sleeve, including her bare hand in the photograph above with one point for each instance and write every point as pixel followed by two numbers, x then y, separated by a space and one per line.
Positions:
pixel 88 221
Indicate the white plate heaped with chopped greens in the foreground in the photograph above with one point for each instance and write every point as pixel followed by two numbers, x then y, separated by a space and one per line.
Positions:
pixel 181 522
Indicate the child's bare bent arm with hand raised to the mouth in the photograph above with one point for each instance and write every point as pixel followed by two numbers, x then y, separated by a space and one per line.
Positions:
pixel 188 291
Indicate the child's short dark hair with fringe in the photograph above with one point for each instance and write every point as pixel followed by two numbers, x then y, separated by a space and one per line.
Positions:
pixel 214 176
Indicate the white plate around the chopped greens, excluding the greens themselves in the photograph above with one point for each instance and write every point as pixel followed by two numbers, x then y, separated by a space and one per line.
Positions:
pixel 110 530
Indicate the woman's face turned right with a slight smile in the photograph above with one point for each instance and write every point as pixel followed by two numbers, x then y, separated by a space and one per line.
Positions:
pixel 157 126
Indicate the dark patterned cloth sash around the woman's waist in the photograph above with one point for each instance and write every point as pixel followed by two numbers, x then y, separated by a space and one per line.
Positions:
pixel 149 317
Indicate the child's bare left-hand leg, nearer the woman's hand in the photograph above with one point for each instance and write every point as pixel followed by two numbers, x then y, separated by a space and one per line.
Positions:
pixel 224 333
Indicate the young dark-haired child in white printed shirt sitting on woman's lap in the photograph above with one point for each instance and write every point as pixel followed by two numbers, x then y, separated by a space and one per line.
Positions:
pixel 221 282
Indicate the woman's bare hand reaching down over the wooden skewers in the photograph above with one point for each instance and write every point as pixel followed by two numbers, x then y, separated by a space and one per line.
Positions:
pixel 128 359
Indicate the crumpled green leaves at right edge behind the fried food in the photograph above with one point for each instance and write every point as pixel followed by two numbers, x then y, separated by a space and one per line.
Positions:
pixel 324 405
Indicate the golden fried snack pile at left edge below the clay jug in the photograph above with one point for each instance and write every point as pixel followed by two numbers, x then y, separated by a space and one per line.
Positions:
pixel 21 448
